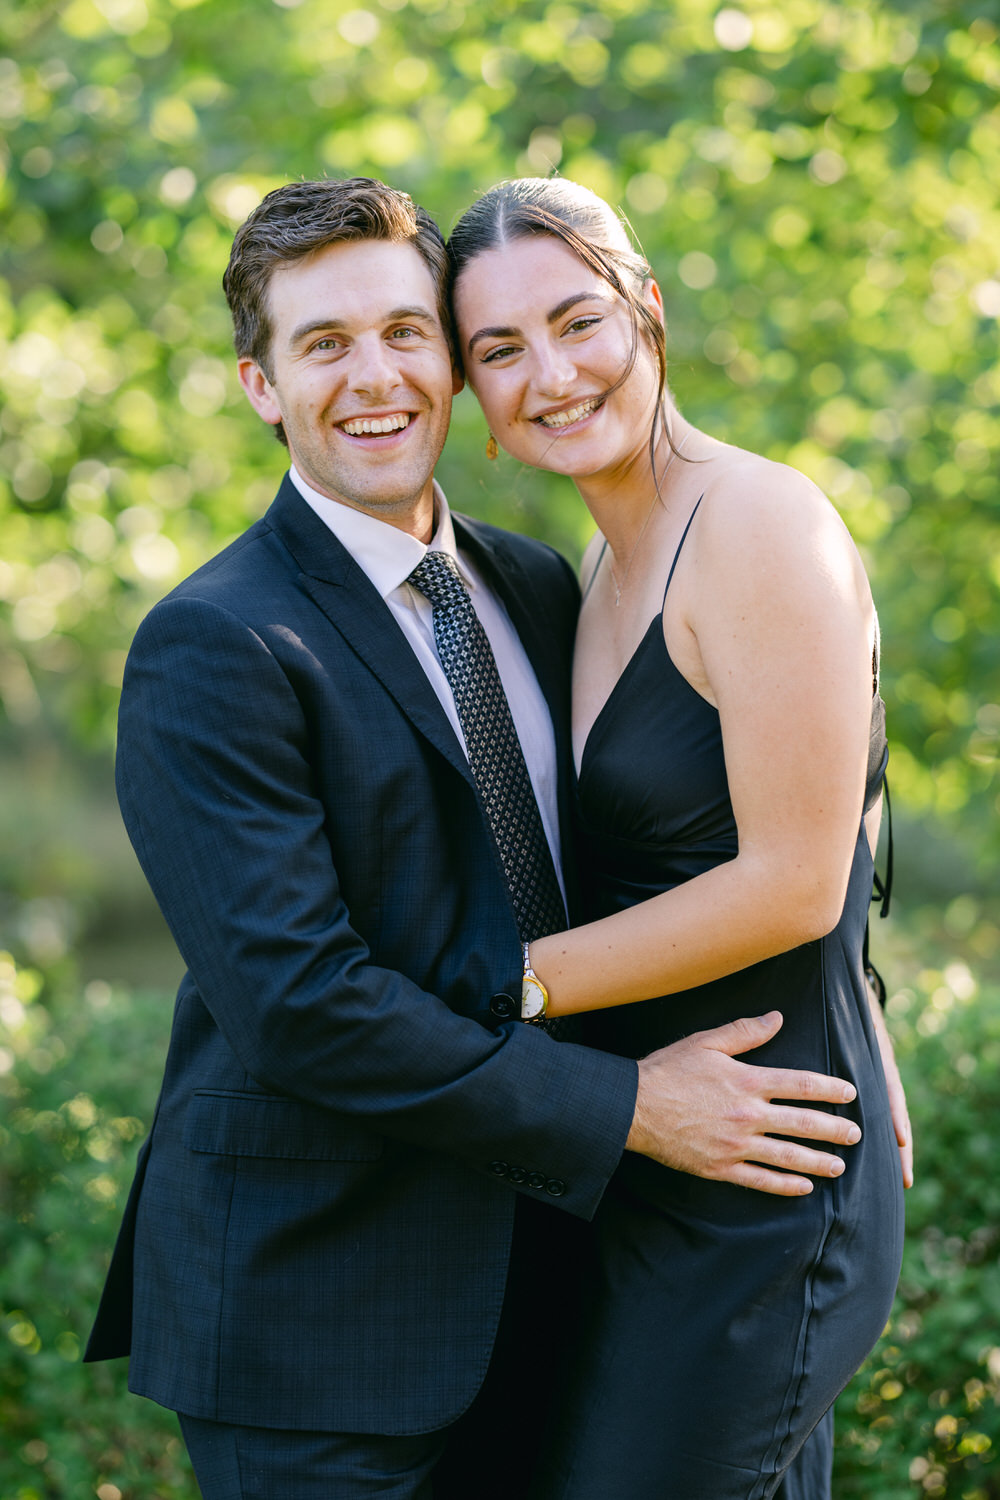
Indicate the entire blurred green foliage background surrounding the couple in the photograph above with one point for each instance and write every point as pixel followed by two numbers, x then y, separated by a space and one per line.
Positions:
pixel 816 187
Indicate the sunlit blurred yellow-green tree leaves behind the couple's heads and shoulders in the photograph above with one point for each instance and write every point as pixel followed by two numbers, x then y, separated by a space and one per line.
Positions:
pixel 815 185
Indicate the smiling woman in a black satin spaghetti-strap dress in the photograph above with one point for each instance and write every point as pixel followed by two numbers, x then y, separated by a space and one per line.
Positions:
pixel 731 751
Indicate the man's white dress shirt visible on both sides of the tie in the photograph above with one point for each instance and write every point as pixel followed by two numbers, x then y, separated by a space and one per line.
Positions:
pixel 389 556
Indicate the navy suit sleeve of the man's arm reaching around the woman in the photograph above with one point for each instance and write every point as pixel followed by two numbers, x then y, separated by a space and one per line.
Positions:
pixel 218 796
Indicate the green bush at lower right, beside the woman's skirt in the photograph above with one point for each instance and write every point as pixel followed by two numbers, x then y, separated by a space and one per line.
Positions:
pixel 924 1414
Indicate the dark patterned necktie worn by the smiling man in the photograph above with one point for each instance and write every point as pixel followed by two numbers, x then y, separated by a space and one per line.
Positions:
pixel 494 748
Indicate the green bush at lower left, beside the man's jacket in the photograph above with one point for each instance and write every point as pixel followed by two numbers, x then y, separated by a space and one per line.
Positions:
pixel 79 1078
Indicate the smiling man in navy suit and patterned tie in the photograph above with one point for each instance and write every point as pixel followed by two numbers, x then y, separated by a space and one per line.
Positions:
pixel 359 1147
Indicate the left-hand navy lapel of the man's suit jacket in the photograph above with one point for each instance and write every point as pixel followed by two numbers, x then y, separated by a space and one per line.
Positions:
pixel 355 607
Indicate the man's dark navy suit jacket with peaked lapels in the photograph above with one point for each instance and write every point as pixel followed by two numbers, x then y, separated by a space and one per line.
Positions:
pixel 320 1226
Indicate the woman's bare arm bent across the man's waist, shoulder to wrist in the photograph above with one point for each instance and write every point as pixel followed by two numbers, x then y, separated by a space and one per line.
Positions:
pixel 773 623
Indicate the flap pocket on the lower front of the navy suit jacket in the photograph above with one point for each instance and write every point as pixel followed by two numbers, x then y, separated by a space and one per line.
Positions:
pixel 229 1124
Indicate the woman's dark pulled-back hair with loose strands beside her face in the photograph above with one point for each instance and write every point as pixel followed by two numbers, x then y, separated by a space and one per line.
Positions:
pixel 590 227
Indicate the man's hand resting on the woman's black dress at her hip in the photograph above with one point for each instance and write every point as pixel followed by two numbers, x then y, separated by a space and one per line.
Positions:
pixel 702 1112
